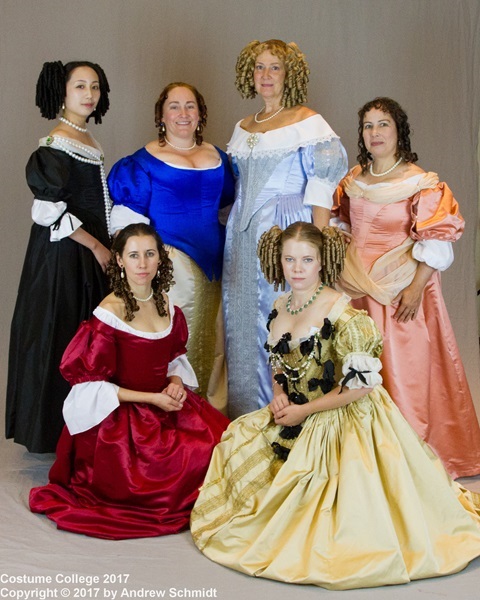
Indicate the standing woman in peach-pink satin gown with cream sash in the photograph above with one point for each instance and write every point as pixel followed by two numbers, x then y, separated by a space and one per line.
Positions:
pixel 403 222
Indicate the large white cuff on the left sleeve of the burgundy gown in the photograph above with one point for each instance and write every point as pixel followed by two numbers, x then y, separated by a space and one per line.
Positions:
pixel 88 404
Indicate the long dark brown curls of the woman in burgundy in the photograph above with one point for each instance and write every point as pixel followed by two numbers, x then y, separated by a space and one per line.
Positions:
pixel 160 283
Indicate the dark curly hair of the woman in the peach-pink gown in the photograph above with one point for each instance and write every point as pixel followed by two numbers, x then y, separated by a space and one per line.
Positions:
pixel 389 106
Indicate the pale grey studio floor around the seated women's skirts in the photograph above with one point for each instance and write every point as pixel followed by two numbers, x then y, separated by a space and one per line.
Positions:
pixel 168 567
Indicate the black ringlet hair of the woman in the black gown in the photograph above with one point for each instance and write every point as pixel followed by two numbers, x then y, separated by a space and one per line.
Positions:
pixel 52 88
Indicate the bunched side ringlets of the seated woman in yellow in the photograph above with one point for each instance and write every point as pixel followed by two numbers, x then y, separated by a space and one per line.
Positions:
pixel 329 241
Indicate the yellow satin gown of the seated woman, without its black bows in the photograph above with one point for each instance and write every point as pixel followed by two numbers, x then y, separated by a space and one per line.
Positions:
pixel 360 501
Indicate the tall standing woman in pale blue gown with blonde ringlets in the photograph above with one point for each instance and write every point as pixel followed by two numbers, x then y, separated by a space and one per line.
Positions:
pixel 288 161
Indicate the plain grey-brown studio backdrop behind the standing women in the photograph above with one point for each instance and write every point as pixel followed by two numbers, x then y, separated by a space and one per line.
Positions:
pixel 423 53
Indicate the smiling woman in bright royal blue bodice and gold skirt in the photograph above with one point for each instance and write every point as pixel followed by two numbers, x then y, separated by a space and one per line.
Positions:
pixel 179 184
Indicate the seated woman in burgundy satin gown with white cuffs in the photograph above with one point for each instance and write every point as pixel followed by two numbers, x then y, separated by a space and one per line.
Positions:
pixel 137 440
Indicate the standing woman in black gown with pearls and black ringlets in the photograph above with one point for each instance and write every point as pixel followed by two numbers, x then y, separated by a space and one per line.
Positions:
pixel 63 275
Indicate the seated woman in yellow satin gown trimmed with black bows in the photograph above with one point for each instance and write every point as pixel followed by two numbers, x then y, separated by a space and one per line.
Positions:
pixel 328 485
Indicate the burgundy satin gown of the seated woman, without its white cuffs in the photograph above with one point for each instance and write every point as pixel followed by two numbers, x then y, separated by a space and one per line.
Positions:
pixel 137 472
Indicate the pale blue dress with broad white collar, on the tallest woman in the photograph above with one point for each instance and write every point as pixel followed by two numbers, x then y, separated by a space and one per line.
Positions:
pixel 281 175
